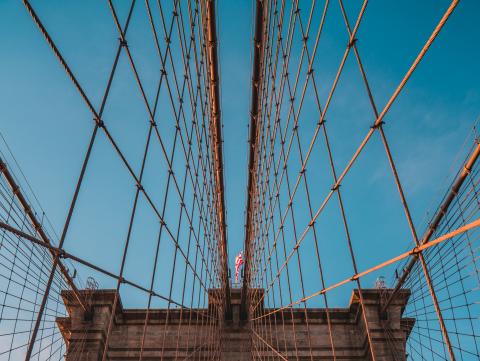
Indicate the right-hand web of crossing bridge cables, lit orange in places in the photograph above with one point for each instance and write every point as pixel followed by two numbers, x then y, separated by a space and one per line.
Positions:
pixel 282 216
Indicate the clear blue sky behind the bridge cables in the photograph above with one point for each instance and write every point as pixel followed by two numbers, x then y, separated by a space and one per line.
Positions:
pixel 47 125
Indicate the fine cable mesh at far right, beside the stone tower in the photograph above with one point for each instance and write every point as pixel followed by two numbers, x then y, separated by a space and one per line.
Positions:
pixel 450 265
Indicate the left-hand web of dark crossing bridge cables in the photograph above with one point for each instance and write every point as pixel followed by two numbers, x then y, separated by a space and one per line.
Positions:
pixel 190 164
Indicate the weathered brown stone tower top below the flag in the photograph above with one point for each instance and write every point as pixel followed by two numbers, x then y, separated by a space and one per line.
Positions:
pixel 199 333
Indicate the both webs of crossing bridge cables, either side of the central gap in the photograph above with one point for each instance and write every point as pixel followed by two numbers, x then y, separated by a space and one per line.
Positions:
pixel 289 195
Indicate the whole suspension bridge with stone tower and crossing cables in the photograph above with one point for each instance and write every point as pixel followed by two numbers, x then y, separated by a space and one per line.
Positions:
pixel 305 290
